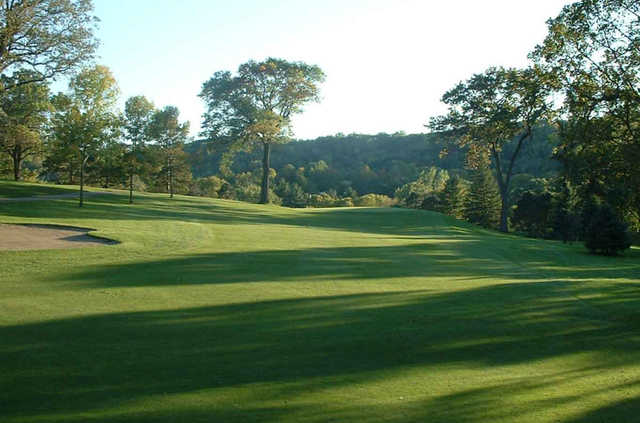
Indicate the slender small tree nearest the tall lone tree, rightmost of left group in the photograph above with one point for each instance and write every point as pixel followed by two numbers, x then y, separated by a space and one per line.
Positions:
pixel 170 135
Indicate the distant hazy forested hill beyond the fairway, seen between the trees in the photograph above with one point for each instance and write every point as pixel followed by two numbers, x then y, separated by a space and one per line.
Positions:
pixel 366 163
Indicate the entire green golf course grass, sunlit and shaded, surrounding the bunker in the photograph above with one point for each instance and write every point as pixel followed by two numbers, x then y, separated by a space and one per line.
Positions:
pixel 220 311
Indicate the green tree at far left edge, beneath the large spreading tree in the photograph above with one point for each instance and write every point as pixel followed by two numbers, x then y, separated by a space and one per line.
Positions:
pixel 23 116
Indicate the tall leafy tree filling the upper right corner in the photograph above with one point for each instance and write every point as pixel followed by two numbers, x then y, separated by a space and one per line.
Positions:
pixel 593 50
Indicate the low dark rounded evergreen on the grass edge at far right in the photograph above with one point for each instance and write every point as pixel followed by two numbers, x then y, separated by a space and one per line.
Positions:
pixel 606 233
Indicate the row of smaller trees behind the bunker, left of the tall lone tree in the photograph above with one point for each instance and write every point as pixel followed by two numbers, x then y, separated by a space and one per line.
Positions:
pixel 79 136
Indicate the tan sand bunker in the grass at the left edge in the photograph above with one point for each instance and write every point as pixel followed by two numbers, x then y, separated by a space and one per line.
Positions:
pixel 41 237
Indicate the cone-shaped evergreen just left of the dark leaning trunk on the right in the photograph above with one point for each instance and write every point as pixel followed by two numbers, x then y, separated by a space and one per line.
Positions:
pixel 482 205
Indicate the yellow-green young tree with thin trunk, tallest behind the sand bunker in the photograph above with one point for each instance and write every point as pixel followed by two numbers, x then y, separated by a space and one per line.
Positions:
pixel 84 119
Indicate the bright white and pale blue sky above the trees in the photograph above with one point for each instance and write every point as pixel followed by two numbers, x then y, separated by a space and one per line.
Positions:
pixel 387 62
